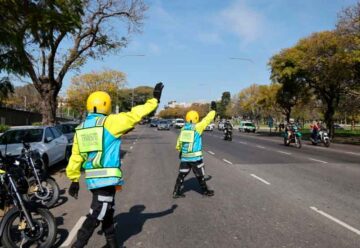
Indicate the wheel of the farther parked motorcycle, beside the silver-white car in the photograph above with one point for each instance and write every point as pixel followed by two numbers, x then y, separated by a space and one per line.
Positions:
pixel 51 192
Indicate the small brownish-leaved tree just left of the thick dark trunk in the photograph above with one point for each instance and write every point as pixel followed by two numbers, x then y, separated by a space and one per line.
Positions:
pixel 25 97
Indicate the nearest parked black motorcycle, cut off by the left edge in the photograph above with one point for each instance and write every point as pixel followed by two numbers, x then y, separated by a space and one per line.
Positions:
pixel 25 224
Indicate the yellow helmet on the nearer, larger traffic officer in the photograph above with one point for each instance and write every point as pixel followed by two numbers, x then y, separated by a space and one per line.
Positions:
pixel 99 102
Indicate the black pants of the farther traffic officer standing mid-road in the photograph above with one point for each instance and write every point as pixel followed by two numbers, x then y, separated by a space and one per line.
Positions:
pixel 198 168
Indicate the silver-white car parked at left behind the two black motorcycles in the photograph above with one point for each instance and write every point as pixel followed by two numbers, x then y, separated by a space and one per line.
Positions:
pixel 48 140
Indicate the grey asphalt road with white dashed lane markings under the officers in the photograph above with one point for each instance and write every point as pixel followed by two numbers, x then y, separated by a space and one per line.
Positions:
pixel 266 195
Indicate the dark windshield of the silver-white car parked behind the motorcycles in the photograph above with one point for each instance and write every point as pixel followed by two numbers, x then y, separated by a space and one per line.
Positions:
pixel 26 135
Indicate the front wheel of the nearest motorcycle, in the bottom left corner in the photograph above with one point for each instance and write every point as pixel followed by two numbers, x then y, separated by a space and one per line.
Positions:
pixel 18 234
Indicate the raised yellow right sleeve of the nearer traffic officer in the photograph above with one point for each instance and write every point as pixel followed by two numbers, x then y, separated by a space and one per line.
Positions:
pixel 118 124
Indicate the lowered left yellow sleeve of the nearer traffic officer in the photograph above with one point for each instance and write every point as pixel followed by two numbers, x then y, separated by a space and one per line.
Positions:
pixel 75 162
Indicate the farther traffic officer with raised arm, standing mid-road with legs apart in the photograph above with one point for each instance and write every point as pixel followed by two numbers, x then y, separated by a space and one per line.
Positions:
pixel 189 144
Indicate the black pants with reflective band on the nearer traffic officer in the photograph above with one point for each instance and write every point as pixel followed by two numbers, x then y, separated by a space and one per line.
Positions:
pixel 102 210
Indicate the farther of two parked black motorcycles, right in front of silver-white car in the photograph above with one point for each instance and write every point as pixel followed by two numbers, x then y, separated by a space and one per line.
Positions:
pixel 42 188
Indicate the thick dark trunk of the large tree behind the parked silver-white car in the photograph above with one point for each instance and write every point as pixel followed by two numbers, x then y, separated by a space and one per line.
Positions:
pixel 48 91
